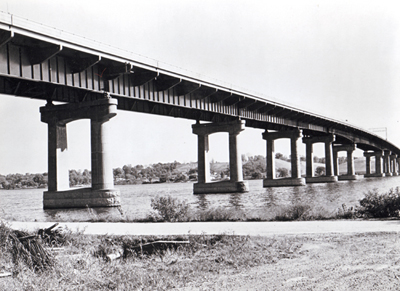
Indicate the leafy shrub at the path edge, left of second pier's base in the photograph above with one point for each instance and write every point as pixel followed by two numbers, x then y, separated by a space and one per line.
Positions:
pixel 170 209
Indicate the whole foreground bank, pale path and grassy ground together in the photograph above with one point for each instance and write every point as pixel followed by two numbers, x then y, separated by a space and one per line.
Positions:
pixel 320 255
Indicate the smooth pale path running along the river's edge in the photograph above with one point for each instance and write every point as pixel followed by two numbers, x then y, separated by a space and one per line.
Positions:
pixel 238 228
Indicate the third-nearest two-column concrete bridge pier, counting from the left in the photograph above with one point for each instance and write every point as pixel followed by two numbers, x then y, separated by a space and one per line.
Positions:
pixel 295 179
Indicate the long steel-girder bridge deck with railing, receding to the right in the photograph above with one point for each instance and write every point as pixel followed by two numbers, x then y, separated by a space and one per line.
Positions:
pixel 45 63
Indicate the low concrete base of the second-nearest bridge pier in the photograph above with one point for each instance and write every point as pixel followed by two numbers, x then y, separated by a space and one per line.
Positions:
pixel 220 187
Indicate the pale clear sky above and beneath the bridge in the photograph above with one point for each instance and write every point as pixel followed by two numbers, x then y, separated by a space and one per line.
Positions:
pixel 340 59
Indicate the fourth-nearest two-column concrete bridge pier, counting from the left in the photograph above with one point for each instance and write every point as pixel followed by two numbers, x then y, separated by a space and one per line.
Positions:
pixel 328 177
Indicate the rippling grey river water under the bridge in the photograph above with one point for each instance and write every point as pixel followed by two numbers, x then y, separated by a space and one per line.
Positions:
pixel 26 204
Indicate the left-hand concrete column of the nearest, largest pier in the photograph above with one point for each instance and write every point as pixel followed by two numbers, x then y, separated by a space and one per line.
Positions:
pixel 58 172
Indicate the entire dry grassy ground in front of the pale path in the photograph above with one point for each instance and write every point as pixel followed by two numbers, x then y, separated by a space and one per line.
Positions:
pixel 220 262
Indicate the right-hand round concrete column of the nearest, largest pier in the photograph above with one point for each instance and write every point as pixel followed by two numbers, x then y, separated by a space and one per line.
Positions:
pixel 102 173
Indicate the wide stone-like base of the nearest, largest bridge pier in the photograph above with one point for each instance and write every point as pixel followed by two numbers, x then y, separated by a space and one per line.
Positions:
pixel 81 198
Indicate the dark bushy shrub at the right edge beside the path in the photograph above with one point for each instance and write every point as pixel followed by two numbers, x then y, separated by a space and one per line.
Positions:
pixel 381 205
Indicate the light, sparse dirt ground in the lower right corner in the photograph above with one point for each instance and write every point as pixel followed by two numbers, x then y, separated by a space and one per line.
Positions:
pixel 323 262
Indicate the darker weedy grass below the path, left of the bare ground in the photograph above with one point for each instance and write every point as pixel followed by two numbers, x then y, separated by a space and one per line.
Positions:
pixel 82 265
